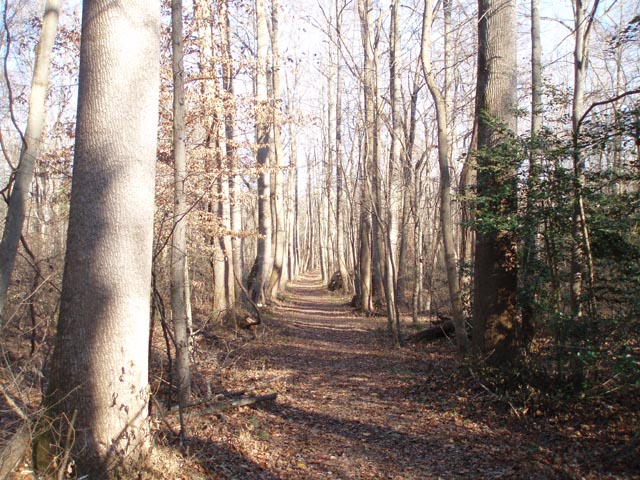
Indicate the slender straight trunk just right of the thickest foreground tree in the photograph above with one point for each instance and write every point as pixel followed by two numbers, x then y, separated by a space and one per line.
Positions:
pixel 180 304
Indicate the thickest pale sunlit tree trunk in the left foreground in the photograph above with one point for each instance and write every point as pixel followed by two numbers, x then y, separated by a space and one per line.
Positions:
pixel 99 367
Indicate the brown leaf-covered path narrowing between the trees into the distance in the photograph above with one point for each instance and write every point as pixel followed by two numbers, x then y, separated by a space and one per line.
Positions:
pixel 351 407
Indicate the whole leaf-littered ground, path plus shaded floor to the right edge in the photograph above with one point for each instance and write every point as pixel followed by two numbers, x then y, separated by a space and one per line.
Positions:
pixel 350 406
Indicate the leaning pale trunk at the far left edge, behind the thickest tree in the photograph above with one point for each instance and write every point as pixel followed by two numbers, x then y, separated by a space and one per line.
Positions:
pixel 31 142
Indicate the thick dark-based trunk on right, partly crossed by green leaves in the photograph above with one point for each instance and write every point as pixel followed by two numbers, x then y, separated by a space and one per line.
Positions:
pixel 496 325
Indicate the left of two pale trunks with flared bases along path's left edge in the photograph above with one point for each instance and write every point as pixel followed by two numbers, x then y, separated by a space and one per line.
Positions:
pixel 264 256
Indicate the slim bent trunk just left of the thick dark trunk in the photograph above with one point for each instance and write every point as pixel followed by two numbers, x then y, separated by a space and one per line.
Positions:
pixel 446 217
